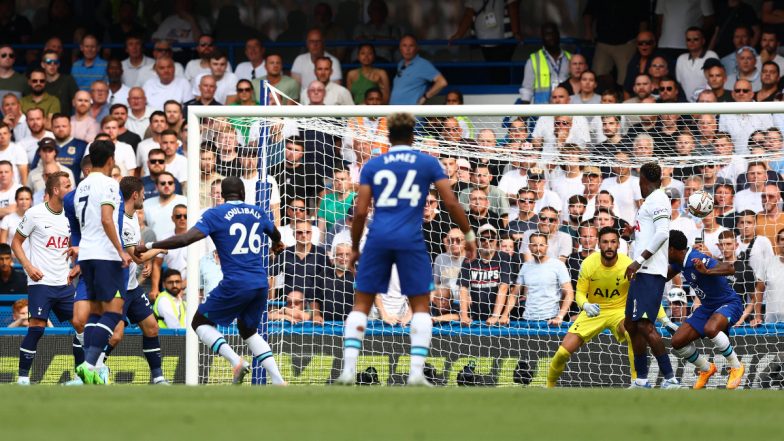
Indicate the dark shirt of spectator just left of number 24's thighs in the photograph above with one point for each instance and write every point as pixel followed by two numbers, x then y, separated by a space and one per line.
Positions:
pixel 334 293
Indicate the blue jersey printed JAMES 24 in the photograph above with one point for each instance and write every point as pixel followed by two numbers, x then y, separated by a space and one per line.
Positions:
pixel 400 180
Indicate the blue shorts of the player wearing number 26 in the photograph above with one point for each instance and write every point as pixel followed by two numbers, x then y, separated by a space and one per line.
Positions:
pixel 227 302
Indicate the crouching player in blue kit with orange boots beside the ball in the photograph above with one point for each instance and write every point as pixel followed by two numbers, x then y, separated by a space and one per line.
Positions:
pixel 719 308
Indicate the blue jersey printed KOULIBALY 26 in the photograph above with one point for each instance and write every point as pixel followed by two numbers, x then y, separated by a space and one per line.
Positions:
pixel 238 229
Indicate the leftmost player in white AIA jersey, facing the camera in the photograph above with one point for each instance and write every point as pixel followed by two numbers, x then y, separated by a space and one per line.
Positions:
pixel 48 233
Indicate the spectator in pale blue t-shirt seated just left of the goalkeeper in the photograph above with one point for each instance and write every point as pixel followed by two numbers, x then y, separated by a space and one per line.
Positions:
pixel 544 283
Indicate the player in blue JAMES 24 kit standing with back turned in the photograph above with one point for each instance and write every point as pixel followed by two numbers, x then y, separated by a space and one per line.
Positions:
pixel 398 182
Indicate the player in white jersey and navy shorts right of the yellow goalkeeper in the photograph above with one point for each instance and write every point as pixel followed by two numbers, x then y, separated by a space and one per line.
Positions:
pixel 648 275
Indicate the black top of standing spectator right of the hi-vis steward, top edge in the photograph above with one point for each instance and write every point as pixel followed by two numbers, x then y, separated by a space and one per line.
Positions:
pixel 617 21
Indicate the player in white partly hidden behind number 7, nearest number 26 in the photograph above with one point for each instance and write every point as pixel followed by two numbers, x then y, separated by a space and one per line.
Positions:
pixel 136 307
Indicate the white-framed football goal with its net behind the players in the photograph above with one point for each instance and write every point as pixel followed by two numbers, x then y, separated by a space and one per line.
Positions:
pixel 563 170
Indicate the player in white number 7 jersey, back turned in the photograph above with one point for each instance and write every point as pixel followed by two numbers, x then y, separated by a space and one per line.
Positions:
pixel 103 261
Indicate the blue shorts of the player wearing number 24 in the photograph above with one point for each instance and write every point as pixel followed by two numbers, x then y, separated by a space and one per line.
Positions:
pixel 413 268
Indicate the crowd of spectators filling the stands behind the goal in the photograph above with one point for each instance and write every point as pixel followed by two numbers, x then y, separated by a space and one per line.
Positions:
pixel 535 221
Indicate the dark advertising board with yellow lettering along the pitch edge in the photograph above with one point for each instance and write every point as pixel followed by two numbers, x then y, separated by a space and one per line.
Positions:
pixel 460 359
